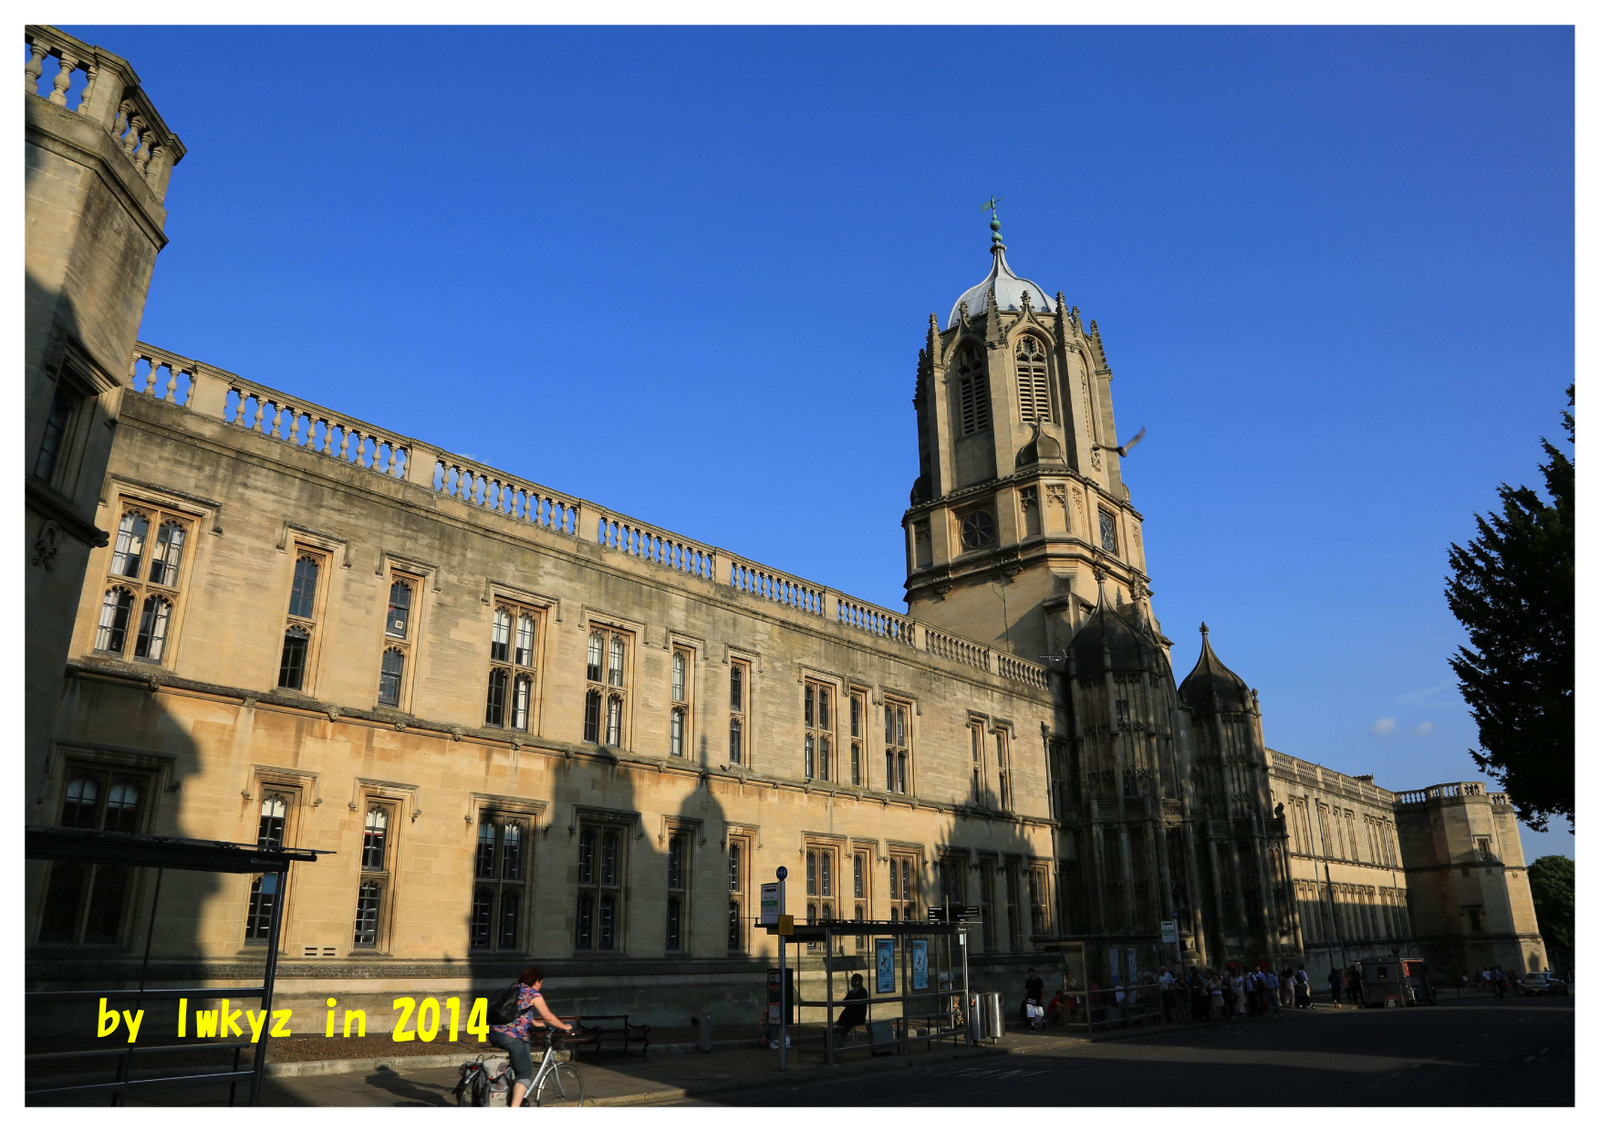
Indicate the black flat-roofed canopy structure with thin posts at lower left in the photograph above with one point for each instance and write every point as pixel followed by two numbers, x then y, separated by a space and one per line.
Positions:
pixel 159 853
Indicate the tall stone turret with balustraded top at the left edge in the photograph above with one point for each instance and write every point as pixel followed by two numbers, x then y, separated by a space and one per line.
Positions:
pixel 98 161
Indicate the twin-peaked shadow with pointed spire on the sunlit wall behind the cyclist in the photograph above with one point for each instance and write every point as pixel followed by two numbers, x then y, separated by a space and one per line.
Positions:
pixel 625 909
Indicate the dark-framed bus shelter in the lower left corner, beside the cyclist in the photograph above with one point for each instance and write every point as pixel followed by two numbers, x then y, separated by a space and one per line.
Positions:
pixel 79 1070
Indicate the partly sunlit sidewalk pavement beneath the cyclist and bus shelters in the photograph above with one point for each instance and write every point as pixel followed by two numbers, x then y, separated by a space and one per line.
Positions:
pixel 618 1080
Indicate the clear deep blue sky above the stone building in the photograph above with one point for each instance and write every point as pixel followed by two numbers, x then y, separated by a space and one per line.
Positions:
pixel 686 273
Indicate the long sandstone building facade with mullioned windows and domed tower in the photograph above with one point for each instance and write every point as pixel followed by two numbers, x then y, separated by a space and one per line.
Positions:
pixel 526 727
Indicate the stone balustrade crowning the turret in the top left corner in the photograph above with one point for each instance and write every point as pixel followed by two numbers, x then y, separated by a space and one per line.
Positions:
pixel 110 95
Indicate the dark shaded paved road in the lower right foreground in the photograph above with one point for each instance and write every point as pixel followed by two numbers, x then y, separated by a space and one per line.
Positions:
pixel 1471 1051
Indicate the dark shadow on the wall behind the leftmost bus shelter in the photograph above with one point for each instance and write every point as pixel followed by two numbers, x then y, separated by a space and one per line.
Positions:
pixel 122 765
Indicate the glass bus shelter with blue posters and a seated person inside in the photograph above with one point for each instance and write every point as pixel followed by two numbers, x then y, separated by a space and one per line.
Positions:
pixel 911 994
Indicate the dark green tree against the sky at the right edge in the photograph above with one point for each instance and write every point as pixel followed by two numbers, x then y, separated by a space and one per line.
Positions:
pixel 1513 592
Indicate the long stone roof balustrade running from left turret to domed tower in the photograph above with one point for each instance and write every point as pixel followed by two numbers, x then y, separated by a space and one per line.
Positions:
pixel 202 389
